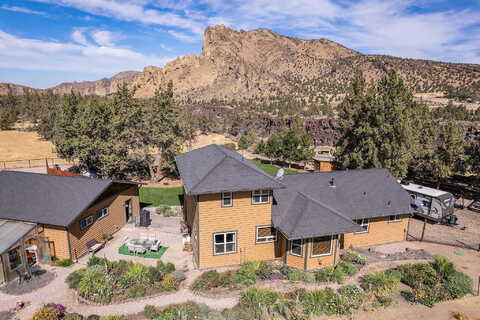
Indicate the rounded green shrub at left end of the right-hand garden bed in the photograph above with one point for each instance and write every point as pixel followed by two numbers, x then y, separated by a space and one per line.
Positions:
pixel 381 283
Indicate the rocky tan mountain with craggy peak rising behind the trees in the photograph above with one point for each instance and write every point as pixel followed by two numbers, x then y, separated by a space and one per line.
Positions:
pixel 241 65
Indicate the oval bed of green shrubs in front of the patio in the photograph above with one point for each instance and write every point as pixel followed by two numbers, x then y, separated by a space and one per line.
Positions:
pixel 104 281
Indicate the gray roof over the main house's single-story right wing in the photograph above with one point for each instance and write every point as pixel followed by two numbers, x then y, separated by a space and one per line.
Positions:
pixel 310 206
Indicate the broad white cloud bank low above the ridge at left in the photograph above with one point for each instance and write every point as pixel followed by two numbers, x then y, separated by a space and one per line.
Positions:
pixel 32 54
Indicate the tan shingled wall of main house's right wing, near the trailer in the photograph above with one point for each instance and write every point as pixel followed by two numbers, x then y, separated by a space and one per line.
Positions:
pixel 381 230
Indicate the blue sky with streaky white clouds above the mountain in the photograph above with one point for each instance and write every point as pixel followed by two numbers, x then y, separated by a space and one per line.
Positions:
pixel 45 42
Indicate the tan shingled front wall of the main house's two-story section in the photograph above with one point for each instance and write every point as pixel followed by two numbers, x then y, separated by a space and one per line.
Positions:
pixel 243 217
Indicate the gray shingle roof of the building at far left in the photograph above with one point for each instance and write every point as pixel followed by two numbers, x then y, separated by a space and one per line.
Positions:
pixel 47 199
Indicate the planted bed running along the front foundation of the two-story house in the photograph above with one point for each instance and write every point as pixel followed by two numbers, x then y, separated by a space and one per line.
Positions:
pixel 253 271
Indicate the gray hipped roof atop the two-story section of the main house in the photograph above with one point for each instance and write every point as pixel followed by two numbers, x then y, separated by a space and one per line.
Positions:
pixel 213 169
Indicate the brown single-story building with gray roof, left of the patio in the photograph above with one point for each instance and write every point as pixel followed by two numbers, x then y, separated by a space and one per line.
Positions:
pixel 68 212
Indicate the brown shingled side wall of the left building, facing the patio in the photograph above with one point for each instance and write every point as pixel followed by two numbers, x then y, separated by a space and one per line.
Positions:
pixel 109 224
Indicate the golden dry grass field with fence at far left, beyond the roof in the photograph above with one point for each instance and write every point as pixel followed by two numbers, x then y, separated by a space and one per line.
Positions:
pixel 23 145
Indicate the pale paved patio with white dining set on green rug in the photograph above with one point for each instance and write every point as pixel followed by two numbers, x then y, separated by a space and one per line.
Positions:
pixel 164 229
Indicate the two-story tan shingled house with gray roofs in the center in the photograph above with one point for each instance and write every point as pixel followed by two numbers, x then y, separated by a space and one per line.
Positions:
pixel 236 213
